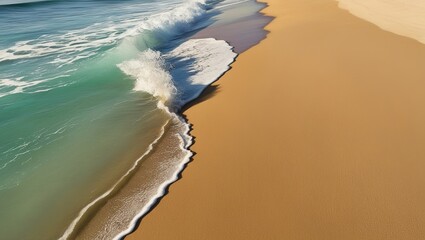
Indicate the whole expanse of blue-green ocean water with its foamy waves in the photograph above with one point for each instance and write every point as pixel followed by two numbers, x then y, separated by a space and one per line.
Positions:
pixel 90 134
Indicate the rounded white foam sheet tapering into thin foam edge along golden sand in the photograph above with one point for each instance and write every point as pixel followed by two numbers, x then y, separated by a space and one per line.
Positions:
pixel 210 59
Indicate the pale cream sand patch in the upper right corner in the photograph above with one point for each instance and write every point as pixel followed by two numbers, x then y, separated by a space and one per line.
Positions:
pixel 403 17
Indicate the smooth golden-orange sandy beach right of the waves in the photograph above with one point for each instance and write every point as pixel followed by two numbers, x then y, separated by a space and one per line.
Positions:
pixel 316 133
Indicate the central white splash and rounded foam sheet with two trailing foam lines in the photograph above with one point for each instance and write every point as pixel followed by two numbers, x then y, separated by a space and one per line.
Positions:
pixel 210 58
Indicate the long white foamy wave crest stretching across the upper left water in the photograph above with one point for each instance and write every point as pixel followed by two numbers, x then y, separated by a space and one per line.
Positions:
pixel 73 45
